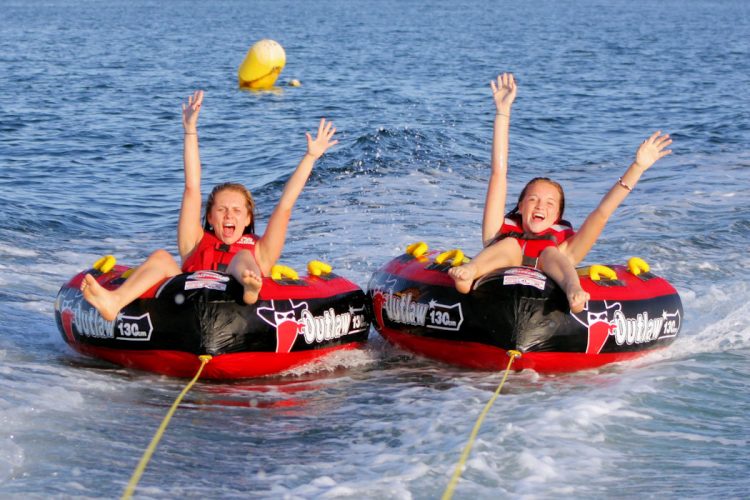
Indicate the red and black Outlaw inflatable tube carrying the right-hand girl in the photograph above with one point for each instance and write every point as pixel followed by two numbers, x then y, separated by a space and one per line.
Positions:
pixel 417 308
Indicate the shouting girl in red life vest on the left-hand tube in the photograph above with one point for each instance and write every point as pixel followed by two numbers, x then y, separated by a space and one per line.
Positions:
pixel 226 241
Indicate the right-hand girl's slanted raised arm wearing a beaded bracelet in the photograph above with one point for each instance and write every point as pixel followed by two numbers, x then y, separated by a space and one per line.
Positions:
pixel 650 151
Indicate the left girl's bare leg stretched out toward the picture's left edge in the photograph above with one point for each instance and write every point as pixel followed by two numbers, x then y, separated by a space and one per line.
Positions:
pixel 159 266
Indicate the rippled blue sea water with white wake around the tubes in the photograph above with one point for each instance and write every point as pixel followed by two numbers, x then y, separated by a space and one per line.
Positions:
pixel 90 163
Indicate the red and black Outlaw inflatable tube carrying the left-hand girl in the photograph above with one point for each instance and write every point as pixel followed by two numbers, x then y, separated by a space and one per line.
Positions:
pixel 295 321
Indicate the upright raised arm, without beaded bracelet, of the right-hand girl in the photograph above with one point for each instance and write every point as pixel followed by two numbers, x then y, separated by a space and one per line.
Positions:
pixel 504 93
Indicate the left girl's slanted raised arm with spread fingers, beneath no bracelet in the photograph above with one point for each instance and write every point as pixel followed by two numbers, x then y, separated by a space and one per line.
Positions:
pixel 270 245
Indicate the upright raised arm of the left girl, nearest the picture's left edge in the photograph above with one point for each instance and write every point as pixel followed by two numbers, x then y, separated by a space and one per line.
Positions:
pixel 189 228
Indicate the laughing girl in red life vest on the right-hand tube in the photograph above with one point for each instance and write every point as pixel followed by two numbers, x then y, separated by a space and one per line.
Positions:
pixel 534 233
